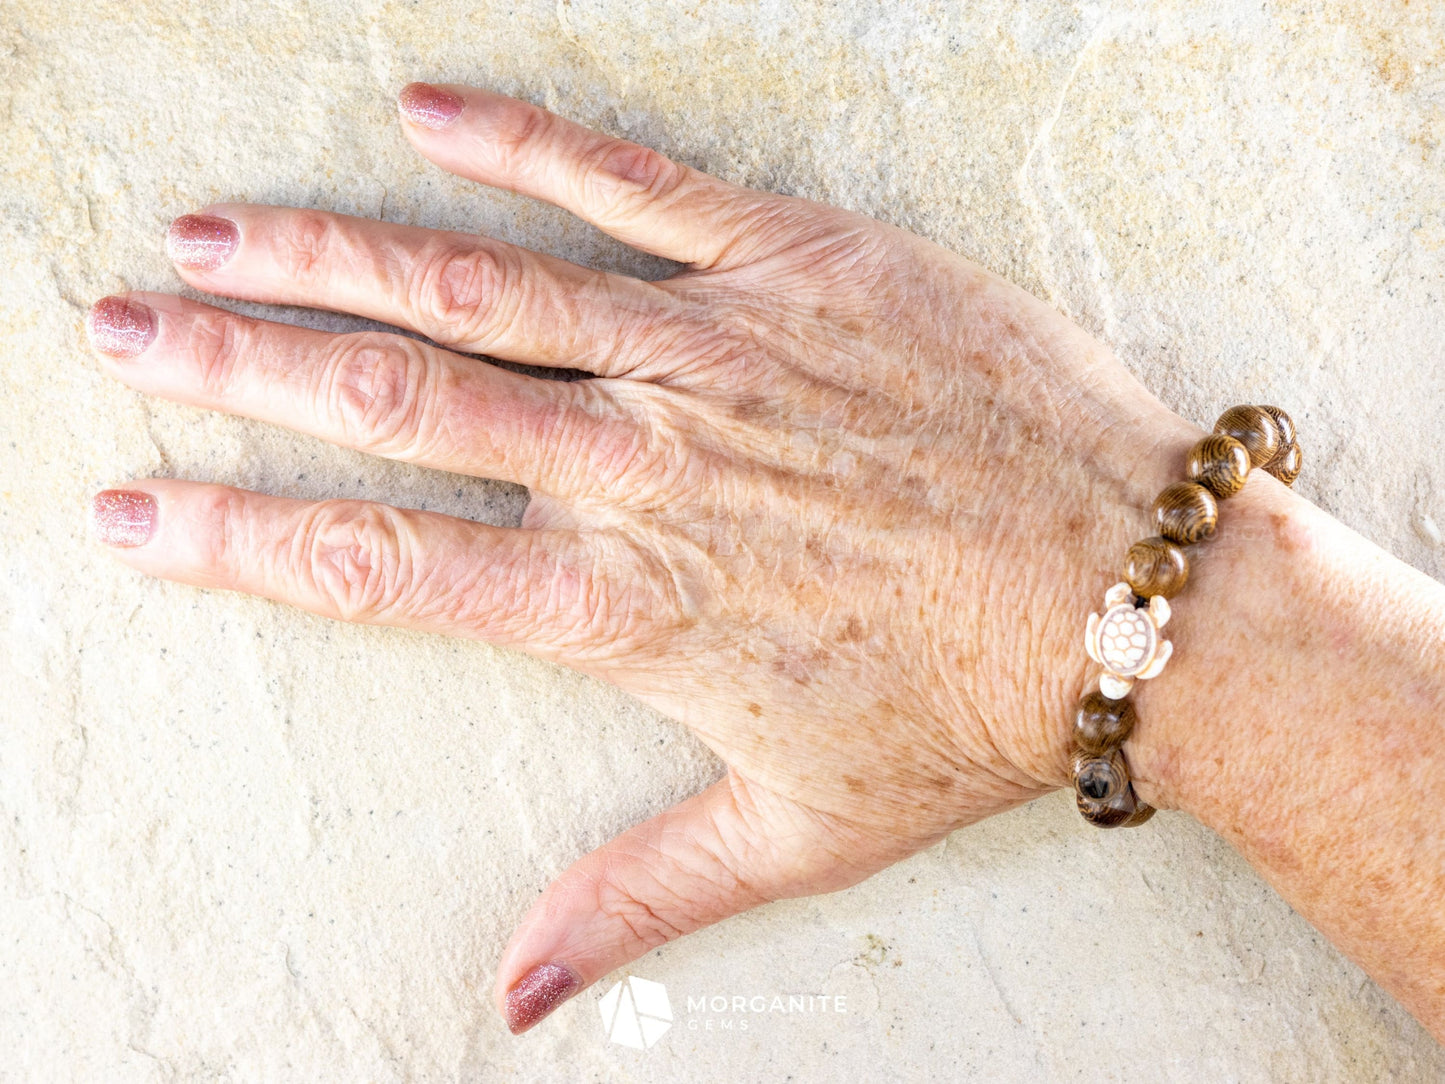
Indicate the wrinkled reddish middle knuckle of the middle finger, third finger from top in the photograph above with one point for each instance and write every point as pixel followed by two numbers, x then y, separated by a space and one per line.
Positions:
pixel 381 391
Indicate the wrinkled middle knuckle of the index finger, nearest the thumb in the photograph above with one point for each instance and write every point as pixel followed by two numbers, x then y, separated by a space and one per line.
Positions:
pixel 355 557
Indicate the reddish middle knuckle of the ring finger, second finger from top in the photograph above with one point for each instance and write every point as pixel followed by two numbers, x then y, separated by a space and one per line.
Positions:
pixel 459 291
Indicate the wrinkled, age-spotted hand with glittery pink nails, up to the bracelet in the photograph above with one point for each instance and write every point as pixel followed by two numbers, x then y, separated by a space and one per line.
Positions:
pixel 836 498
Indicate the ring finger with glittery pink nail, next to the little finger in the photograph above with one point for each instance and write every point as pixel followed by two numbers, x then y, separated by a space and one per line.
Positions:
pixel 460 290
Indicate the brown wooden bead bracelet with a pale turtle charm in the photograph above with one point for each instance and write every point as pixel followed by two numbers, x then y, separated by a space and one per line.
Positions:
pixel 1125 640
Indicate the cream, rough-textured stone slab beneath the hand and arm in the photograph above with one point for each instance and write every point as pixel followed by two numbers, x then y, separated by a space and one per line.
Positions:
pixel 242 843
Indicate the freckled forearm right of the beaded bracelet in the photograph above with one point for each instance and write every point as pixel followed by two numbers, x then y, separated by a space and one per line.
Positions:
pixel 1303 720
